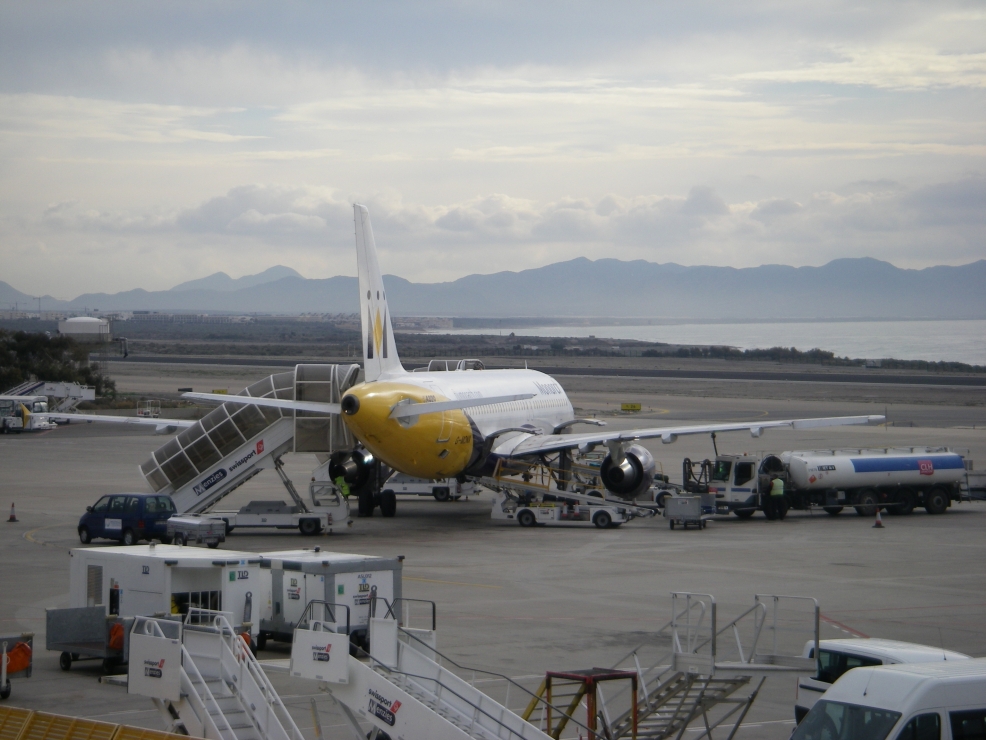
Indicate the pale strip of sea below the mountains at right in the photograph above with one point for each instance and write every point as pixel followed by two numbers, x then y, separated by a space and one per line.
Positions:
pixel 936 341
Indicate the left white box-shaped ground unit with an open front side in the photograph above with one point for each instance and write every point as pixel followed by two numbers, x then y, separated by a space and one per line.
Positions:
pixel 145 580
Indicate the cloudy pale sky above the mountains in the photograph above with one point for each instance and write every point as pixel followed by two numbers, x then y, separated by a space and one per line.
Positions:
pixel 146 144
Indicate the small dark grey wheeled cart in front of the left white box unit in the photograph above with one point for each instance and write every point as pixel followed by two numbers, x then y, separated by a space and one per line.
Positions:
pixel 87 633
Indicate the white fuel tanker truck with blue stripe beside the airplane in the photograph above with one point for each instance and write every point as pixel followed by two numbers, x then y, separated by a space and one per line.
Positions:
pixel 893 479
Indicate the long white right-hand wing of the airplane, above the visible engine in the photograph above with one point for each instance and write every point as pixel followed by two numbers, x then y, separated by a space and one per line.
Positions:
pixel 585 442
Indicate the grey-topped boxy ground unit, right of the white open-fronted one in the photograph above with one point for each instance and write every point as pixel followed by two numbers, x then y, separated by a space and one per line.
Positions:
pixel 292 578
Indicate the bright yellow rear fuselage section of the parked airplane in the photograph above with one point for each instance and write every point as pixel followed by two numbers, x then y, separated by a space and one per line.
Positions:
pixel 435 445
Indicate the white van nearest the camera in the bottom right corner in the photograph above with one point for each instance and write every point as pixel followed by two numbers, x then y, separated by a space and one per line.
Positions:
pixel 929 701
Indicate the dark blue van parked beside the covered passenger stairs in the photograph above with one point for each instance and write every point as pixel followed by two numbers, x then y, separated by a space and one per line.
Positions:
pixel 128 518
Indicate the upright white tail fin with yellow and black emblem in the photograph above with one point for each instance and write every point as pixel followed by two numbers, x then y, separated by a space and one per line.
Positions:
pixel 379 350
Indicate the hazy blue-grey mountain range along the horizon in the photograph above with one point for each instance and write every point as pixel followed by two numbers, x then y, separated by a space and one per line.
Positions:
pixel 844 288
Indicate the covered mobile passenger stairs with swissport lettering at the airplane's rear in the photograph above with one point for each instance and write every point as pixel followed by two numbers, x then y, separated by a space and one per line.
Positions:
pixel 234 442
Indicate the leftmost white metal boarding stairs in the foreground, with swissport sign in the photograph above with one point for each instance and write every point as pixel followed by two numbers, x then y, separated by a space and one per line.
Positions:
pixel 204 680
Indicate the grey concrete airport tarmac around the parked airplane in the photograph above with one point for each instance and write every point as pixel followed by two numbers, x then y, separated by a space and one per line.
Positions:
pixel 524 601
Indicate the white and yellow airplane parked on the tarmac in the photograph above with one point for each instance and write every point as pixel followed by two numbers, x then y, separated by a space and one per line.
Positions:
pixel 444 424
